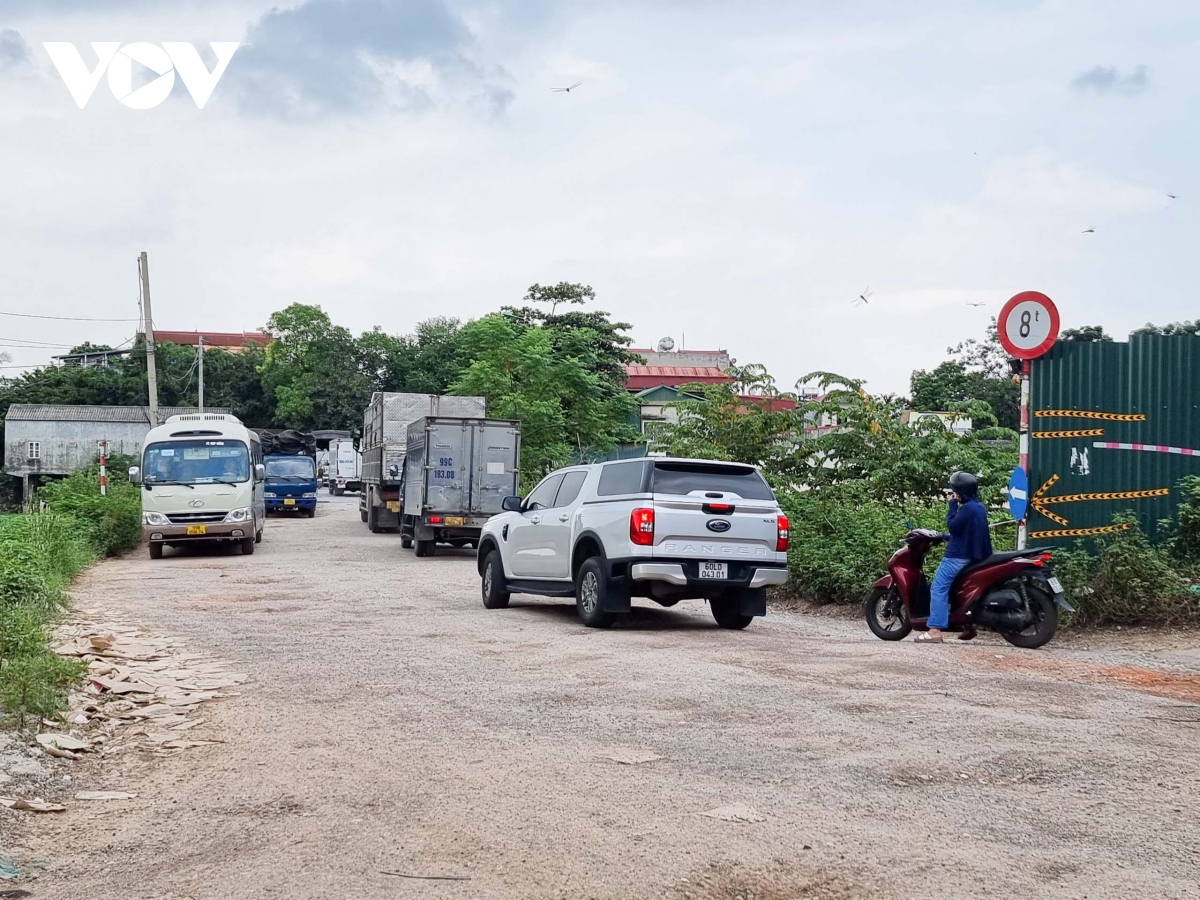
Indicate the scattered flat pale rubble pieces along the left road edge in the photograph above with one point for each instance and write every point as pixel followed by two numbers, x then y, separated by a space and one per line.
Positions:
pixel 142 693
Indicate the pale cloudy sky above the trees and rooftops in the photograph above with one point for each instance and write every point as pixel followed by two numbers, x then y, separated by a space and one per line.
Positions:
pixel 729 175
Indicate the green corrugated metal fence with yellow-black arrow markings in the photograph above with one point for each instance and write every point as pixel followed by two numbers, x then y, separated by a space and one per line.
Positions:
pixel 1114 428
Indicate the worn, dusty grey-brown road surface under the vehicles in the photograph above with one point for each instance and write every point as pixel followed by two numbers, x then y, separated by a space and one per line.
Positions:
pixel 394 725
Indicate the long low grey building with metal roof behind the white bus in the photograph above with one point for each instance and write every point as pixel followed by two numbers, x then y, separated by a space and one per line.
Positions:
pixel 44 441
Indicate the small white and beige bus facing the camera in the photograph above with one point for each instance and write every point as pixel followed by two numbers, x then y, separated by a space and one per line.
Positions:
pixel 202 481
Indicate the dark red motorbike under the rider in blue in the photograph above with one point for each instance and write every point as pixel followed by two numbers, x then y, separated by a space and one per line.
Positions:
pixel 1015 593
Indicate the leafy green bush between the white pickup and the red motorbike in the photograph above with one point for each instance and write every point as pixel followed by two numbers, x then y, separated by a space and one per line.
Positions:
pixel 842 539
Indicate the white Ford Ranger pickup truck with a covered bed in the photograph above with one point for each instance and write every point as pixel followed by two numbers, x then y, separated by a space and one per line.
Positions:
pixel 665 530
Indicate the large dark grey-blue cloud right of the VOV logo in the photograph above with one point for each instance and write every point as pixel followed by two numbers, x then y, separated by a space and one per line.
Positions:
pixel 345 57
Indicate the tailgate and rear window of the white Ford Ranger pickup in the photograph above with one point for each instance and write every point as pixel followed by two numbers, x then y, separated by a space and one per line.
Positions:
pixel 712 512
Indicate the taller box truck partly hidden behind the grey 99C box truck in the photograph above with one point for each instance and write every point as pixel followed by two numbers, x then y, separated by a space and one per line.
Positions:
pixel 385 439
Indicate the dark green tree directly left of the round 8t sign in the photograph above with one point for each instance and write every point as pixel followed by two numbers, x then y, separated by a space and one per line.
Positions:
pixel 980 373
